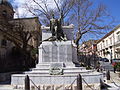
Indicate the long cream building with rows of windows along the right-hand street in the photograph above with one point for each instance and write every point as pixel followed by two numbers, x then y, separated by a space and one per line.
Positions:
pixel 109 45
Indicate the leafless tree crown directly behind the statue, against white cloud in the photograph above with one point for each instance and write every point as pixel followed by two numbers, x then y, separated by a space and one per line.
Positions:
pixel 44 9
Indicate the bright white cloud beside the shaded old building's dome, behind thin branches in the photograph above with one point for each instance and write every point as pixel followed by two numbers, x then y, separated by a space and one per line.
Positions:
pixel 23 12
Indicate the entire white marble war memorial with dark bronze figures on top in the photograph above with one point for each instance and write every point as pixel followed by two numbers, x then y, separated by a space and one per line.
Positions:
pixel 57 57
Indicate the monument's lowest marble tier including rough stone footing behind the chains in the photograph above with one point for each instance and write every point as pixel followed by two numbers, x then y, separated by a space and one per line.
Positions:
pixel 58 80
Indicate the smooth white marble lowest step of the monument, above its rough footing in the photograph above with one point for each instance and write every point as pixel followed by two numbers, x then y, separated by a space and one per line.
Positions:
pixel 18 79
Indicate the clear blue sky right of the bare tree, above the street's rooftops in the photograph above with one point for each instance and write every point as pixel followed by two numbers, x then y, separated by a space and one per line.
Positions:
pixel 113 8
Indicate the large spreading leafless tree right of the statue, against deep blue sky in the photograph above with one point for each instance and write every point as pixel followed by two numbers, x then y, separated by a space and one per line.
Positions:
pixel 89 19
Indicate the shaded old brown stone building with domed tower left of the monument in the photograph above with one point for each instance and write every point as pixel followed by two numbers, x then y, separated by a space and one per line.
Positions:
pixel 31 26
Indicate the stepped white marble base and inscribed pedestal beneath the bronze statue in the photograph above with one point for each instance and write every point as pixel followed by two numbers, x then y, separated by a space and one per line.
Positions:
pixel 58 56
